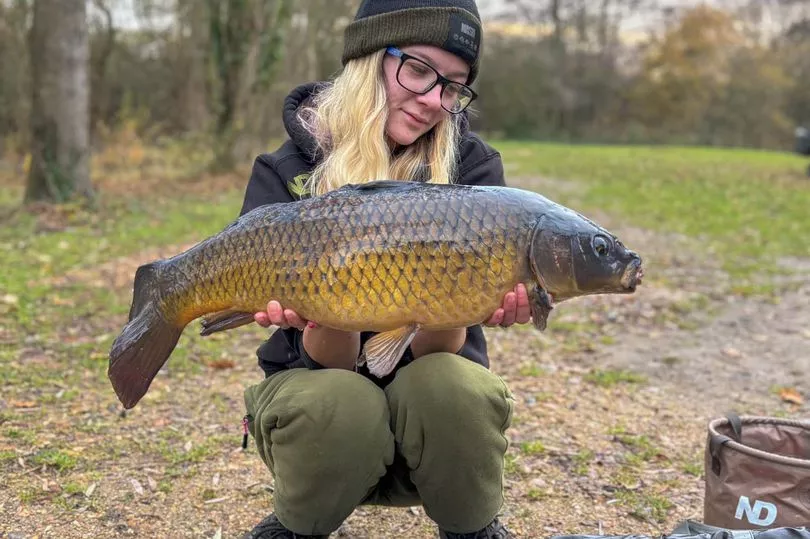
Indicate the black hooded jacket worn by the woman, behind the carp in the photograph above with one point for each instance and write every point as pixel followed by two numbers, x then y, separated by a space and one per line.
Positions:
pixel 278 176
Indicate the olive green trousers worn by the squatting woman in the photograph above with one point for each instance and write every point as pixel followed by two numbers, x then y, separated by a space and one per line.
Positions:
pixel 333 440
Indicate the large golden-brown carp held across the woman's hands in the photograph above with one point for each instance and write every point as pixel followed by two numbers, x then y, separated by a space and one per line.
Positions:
pixel 387 256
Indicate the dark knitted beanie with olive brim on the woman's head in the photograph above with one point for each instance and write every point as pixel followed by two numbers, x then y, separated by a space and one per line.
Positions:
pixel 453 25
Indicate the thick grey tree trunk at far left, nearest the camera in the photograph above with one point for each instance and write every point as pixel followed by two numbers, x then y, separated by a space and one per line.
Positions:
pixel 60 115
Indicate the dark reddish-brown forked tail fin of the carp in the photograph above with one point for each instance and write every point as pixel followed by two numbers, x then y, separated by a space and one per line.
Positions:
pixel 145 343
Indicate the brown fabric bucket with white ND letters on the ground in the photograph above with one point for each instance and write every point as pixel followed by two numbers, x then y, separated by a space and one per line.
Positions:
pixel 757 473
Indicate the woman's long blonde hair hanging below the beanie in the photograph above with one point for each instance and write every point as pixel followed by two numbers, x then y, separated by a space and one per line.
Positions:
pixel 347 120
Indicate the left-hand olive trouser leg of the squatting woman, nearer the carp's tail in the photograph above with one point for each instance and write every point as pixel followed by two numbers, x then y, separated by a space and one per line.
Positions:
pixel 326 438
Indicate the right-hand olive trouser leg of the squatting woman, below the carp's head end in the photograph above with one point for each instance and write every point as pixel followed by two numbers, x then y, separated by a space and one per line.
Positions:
pixel 449 417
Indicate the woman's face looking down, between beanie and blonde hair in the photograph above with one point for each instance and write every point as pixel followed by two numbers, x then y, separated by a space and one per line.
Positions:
pixel 411 115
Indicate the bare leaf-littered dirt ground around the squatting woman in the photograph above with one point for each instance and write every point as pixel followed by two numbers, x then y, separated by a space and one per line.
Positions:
pixel 612 403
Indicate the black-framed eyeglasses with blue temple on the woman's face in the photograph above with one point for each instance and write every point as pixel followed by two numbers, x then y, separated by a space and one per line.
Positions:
pixel 420 77
